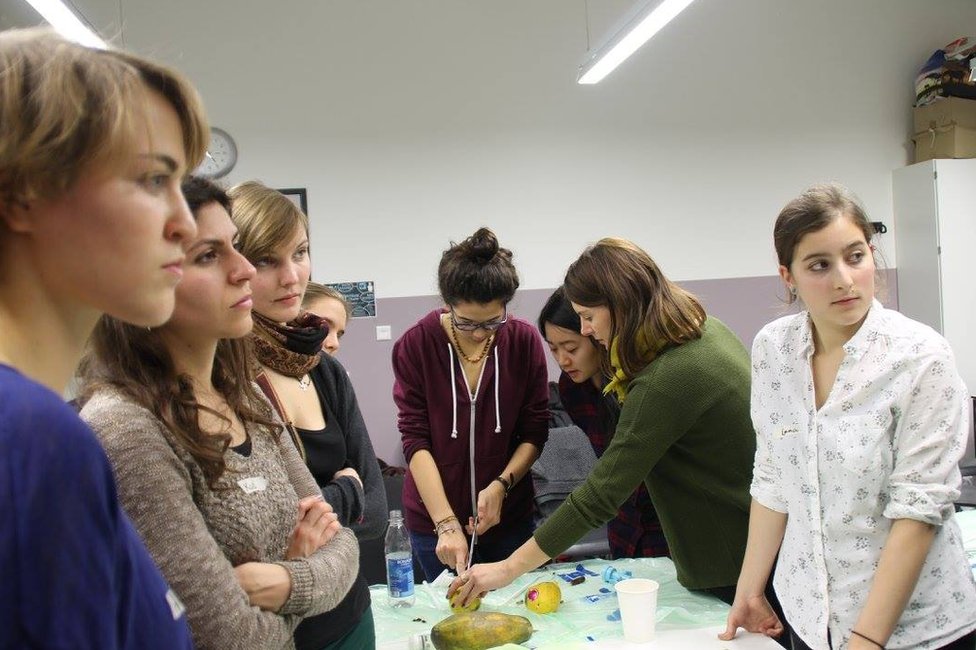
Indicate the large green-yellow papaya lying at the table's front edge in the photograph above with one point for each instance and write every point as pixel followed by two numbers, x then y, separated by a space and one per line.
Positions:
pixel 479 631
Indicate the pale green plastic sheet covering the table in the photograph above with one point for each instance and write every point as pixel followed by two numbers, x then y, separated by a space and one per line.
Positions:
pixel 577 619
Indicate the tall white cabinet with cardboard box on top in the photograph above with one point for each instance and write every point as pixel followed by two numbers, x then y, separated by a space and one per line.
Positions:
pixel 935 239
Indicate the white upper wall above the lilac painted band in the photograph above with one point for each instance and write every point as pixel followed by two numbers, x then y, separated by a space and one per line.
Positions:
pixel 413 123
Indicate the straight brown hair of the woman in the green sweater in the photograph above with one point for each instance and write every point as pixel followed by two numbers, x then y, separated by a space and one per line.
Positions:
pixel 617 274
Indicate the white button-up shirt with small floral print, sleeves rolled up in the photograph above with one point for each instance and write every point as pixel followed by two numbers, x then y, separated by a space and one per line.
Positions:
pixel 885 445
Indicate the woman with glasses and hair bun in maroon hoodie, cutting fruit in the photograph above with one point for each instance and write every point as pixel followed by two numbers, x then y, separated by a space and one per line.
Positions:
pixel 470 386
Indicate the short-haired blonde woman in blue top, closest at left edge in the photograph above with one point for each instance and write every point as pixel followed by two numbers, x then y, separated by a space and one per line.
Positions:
pixel 93 144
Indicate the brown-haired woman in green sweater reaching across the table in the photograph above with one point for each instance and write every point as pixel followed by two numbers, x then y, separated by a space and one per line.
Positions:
pixel 682 378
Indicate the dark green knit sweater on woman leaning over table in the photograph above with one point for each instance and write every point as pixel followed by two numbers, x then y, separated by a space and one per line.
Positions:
pixel 685 431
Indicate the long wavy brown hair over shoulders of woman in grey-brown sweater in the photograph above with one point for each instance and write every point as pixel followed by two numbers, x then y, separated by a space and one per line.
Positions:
pixel 135 361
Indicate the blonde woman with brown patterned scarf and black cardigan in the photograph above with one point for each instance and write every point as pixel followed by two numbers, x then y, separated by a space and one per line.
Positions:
pixel 311 392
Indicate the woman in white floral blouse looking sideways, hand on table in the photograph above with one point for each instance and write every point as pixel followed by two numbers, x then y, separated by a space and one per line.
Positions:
pixel 861 420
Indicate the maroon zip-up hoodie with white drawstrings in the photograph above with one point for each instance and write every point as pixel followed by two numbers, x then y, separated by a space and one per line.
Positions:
pixel 512 407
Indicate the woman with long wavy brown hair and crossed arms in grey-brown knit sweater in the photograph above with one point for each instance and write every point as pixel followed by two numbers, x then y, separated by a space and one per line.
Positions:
pixel 213 485
